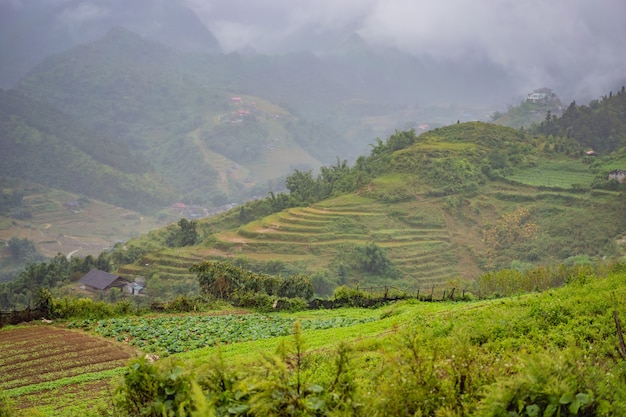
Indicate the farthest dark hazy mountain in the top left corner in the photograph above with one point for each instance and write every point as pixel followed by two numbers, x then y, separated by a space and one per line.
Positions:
pixel 30 32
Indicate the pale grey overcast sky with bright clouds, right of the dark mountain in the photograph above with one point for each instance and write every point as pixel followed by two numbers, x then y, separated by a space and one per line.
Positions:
pixel 535 40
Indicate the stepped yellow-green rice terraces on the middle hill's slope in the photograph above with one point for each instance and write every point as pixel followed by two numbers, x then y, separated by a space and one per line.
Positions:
pixel 418 243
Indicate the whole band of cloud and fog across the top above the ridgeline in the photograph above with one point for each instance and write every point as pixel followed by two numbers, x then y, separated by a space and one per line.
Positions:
pixel 572 45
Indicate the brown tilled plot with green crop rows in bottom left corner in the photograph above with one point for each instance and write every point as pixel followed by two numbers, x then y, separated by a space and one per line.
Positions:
pixel 37 359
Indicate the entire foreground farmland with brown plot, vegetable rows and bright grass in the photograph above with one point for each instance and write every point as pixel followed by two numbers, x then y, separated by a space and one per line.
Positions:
pixel 500 340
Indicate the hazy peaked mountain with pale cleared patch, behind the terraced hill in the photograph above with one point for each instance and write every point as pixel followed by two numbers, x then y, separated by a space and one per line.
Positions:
pixel 184 113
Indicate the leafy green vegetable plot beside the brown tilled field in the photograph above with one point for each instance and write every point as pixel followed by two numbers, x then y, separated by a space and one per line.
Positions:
pixel 176 334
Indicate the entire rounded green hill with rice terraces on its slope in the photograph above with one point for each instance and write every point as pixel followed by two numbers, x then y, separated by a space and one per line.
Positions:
pixel 441 207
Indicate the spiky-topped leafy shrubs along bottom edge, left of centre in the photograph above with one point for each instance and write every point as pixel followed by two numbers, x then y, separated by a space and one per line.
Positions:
pixel 280 386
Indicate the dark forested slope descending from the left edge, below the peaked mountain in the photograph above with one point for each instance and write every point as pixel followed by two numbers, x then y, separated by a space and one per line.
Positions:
pixel 43 145
